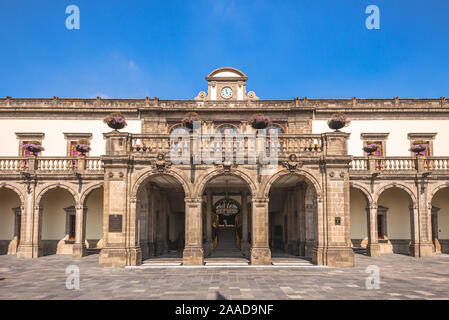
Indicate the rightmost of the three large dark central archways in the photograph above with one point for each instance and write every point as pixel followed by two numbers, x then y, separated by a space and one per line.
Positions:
pixel 292 216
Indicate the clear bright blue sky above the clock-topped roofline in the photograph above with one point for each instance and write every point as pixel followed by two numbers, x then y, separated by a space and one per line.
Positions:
pixel 165 48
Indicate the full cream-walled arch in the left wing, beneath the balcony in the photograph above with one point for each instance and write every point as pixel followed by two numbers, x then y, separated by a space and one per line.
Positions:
pixel 58 221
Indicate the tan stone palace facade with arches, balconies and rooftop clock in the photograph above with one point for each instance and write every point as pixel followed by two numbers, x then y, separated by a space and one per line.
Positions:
pixel 320 201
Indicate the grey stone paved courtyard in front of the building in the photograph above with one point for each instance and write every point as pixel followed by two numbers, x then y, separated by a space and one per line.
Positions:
pixel 402 277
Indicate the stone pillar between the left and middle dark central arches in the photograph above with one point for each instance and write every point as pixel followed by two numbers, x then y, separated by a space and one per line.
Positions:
pixel 193 253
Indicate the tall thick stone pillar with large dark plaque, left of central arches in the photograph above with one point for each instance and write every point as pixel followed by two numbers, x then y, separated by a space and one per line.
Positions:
pixel 121 246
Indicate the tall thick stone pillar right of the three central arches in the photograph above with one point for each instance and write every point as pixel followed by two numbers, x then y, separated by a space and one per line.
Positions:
pixel 333 247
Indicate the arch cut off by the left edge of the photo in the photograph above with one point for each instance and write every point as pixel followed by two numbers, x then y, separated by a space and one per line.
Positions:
pixel 10 221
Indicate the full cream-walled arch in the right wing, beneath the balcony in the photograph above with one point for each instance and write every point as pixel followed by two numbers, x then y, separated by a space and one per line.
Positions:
pixel 394 220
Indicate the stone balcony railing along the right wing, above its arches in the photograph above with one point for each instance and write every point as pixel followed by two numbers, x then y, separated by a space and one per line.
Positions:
pixel 399 164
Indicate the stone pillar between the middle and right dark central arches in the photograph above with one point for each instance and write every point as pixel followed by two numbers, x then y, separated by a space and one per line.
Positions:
pixel 260 250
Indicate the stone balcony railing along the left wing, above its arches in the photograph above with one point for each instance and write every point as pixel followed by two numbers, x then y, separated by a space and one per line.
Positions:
pixel 51 164
